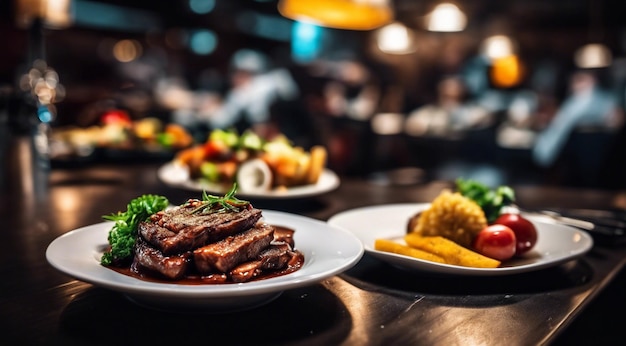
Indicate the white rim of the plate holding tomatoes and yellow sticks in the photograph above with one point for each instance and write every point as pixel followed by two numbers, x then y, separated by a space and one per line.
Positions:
pixel 408 262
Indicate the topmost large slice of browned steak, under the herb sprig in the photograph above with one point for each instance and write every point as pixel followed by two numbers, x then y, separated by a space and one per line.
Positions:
pixel 180 229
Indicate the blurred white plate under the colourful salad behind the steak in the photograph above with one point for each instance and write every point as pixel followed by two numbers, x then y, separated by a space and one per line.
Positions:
pixel 177 176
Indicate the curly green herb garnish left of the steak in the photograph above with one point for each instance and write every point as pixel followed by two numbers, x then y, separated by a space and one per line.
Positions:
pixel 123 234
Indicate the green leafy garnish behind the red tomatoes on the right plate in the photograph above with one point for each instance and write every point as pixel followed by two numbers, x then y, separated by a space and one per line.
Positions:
pixel 490 200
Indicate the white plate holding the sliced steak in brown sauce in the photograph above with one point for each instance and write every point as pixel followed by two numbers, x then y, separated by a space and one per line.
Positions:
pixel 327 251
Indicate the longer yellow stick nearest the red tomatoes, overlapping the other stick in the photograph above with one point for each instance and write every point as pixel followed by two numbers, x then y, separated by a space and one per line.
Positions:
pixel 450 251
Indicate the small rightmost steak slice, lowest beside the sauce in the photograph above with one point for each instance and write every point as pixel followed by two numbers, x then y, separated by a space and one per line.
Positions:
pixel 274 258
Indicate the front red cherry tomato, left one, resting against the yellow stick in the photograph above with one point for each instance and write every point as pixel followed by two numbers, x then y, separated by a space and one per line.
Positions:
pixel 496 241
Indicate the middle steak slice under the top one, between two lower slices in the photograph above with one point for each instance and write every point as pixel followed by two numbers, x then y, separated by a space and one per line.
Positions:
pixel 227 253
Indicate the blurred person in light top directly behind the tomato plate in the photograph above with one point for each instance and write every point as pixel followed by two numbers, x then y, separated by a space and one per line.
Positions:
pixel 452 135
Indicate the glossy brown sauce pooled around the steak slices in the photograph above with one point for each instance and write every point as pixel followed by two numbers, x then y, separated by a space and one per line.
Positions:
pixel 282 233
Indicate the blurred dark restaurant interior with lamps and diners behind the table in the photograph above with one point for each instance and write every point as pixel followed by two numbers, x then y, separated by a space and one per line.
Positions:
pixel 392 98
